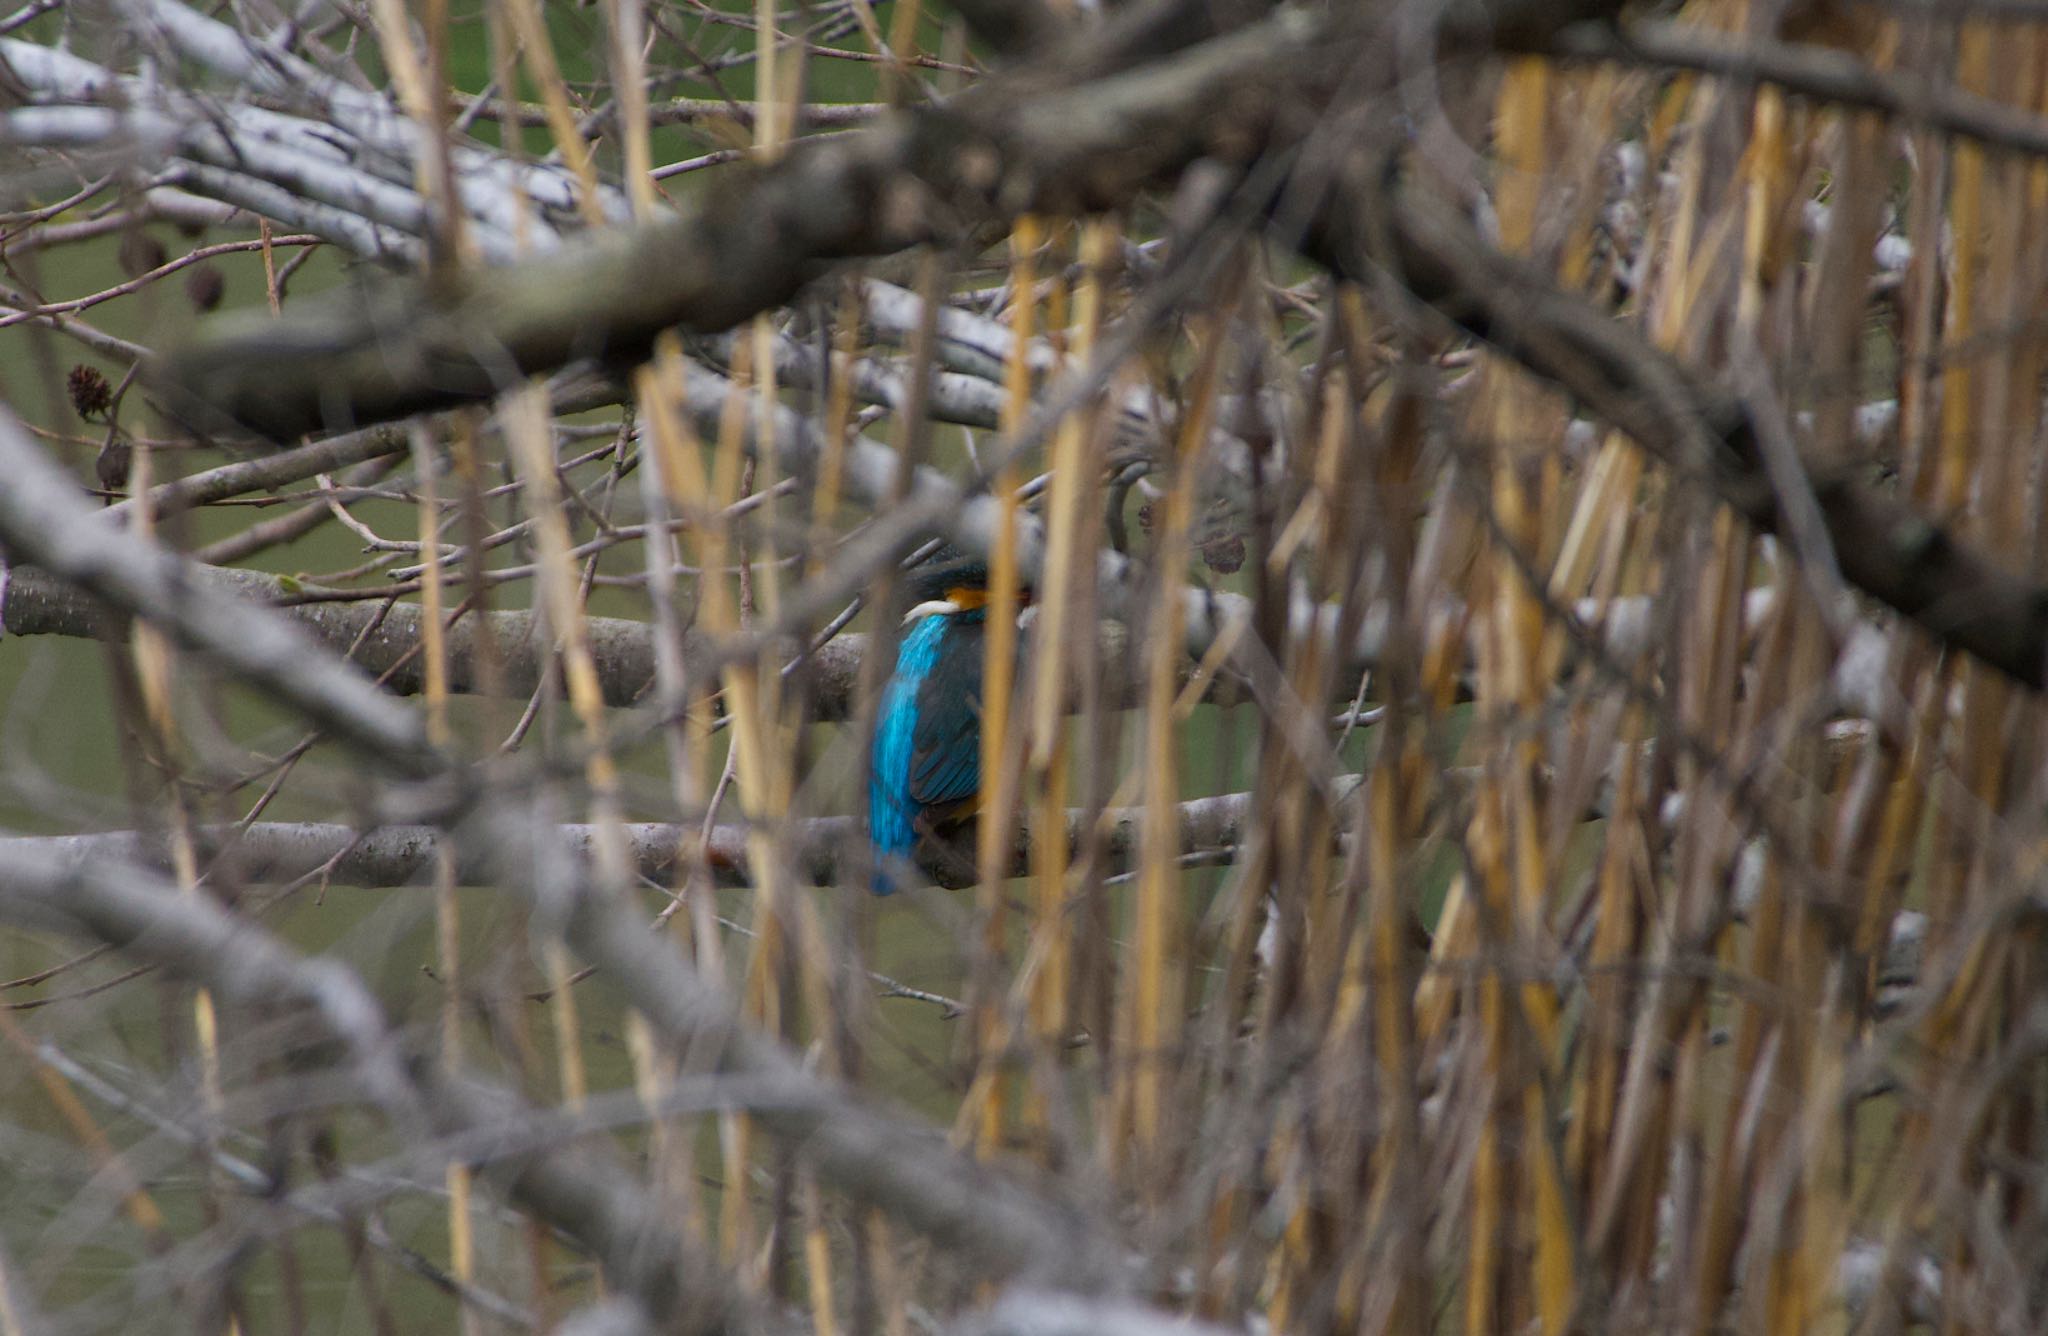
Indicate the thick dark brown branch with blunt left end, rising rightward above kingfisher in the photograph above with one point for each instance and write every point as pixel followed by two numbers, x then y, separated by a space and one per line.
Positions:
pixel 1033 142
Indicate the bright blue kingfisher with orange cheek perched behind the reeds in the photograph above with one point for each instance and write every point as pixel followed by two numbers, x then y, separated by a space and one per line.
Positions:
pixel 927 763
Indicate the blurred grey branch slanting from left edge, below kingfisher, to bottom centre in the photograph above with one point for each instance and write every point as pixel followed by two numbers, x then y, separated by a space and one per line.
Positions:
pixel 876 1157
